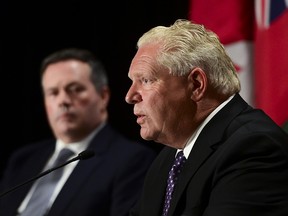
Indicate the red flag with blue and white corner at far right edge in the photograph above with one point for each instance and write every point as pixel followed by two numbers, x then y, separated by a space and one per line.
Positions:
pixel 271 58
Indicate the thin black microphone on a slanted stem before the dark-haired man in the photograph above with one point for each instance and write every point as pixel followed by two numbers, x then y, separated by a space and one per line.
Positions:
pixel 84 155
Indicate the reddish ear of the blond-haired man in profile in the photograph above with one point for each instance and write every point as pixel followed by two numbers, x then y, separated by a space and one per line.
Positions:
pixel 198 81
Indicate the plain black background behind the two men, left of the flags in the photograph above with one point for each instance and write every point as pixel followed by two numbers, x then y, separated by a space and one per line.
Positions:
pixel 31 31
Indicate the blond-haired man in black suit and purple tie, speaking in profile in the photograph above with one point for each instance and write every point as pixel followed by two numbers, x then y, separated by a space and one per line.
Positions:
pixel 233 158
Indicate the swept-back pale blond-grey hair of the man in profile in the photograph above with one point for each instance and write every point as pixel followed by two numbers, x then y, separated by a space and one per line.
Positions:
pixel 186 45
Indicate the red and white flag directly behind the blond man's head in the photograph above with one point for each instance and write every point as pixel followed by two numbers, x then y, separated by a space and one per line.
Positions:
pixel 232 21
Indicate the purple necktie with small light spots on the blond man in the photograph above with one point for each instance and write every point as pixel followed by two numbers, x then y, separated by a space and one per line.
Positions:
pixel 172 179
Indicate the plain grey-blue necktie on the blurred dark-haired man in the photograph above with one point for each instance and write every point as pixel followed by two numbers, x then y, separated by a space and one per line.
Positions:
pixel 38 203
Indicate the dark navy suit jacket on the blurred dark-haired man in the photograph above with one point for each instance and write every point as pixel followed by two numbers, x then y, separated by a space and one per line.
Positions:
pixel 107 184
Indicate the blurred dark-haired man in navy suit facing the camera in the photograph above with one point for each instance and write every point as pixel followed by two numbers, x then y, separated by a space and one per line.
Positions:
pixel 76 93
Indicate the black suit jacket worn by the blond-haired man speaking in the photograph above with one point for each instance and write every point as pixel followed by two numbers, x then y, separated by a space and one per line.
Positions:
pixel 237 167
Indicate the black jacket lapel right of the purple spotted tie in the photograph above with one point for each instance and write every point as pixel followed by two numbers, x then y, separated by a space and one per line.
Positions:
pixel 206 145
